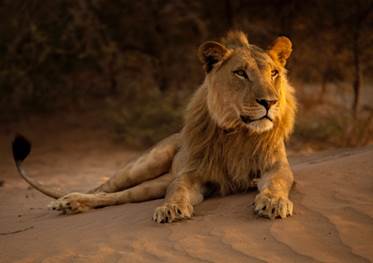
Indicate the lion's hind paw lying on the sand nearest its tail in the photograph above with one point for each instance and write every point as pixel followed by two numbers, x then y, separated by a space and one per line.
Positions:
pixel 71 203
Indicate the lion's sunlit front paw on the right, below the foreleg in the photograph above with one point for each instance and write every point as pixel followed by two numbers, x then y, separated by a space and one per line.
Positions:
pixel 271 206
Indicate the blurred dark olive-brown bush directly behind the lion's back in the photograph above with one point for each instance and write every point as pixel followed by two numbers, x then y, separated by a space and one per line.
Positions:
pixel 145 121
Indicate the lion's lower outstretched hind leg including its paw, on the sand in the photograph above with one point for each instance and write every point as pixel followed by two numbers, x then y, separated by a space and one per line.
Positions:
pixel 78 202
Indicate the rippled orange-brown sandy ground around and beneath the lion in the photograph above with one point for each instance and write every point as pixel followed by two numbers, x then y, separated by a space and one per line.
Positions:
pixel 333 219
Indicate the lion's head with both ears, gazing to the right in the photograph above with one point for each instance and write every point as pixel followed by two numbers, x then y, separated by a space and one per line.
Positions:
pixel 246 86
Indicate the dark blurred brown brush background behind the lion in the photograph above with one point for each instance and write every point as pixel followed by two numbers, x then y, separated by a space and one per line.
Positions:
pixel 129 67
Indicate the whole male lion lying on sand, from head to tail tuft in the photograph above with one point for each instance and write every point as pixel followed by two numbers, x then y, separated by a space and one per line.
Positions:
pixel 233 139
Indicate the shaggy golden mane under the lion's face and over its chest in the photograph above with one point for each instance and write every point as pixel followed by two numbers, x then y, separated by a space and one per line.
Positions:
pixel 212 149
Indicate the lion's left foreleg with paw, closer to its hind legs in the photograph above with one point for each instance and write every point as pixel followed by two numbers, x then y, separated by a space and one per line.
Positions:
pixel 181 195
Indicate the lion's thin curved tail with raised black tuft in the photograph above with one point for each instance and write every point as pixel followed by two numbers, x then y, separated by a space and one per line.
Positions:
pixel 21 149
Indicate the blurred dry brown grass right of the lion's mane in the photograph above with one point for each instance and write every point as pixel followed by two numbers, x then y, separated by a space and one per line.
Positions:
pixel 330 124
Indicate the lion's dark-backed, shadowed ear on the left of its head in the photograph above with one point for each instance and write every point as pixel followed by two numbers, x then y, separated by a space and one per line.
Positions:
pixel 210 53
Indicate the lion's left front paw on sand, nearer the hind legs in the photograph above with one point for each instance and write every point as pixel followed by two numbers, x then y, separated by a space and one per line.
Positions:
pixel 168 213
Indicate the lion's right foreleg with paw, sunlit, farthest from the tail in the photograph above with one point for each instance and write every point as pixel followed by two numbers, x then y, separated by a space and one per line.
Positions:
pixel 274 187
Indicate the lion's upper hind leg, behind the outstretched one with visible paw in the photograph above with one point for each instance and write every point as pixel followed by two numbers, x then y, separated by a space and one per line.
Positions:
pixel 148 166
